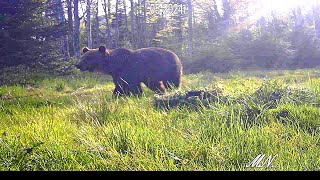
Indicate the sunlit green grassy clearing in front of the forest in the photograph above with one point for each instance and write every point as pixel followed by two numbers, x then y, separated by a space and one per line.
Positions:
pixel 72 123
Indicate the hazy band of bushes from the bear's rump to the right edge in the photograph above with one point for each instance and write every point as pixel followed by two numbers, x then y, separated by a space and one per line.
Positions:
pixel 245 51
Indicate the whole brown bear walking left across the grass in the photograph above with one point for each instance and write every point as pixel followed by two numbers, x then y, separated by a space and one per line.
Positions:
pixel 159 69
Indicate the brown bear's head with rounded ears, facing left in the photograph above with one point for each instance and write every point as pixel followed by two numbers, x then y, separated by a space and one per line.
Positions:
pixel 94 60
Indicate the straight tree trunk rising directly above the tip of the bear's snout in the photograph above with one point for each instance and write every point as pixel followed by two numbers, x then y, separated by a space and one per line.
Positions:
pixel 76 29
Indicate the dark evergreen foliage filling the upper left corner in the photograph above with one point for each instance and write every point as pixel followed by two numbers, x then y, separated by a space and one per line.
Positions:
pixel 28 34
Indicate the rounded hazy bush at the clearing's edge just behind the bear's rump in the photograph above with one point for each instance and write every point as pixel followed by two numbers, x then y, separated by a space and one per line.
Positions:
pixel 238 51
